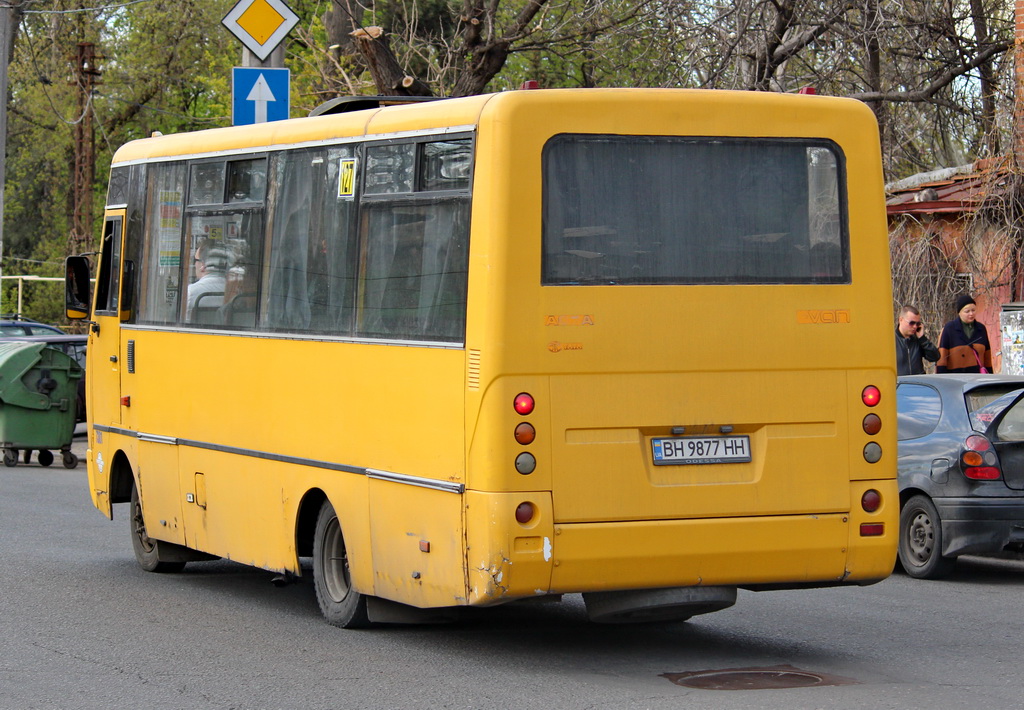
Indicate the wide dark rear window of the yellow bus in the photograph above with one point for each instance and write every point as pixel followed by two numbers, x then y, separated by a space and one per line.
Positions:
pixel 681 211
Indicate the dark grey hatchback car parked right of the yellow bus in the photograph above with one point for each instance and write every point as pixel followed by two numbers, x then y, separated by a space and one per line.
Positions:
pixel 961 469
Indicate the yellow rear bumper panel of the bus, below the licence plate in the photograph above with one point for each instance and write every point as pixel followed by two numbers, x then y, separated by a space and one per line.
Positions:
pixel 790 551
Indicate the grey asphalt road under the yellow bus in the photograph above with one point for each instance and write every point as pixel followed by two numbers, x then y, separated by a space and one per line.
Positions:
pixel 81 627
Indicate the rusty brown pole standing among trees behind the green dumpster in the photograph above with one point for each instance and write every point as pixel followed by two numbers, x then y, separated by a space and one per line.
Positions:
pixel 87 77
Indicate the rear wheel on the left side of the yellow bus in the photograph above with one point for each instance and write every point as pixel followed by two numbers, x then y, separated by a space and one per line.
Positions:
pixel 340 605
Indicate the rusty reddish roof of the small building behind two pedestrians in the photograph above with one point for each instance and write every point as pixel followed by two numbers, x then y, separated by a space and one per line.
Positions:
pixel 952 191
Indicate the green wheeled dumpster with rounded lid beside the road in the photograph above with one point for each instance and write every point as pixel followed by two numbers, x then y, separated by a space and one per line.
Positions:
pixel 38 389
